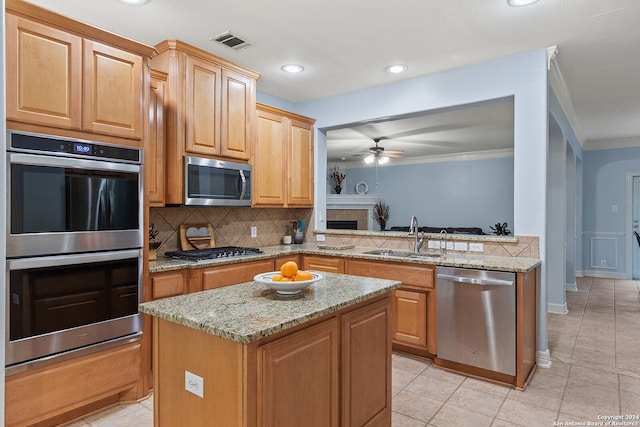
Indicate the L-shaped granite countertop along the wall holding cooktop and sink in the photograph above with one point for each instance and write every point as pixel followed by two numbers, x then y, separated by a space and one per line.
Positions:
pixel 484 262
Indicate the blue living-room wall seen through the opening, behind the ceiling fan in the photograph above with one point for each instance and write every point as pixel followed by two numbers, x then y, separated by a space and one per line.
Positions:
pixel 472 193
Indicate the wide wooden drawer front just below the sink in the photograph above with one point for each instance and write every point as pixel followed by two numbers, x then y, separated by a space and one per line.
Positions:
pixel 411 275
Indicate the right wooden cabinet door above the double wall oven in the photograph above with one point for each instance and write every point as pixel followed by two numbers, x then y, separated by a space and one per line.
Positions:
pixel 113 81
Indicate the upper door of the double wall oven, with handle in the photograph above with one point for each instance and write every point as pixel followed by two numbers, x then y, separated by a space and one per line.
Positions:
pixel 60 205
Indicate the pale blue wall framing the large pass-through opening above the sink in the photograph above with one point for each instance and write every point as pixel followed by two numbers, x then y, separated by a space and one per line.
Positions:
pixel 523 76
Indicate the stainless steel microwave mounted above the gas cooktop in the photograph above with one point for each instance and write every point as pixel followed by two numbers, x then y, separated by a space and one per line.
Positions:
pixel 209 182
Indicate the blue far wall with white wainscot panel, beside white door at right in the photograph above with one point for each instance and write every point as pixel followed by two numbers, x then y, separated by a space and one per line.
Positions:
pixel 604 231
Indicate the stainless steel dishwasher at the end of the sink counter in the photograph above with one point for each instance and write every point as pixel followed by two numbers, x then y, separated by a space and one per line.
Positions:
pixel 476 312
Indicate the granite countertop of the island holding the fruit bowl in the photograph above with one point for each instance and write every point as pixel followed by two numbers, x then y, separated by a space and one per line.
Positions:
pixel 249 311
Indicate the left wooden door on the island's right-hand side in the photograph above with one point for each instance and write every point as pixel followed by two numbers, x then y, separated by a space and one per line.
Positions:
pixel 298 378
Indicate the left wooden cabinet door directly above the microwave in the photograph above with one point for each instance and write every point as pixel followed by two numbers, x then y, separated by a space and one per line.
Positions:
pixel 202 114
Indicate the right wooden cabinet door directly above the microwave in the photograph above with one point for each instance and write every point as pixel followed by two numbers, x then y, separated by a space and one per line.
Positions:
pixel 238 115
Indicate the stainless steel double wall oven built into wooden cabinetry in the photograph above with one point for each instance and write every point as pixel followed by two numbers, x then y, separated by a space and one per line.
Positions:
pixel 74 247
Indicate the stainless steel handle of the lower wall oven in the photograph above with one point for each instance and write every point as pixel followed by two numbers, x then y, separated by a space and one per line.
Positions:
pixel 73 259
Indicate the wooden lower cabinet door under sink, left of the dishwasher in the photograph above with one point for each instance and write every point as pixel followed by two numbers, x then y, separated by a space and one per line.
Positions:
pixel 410 318
